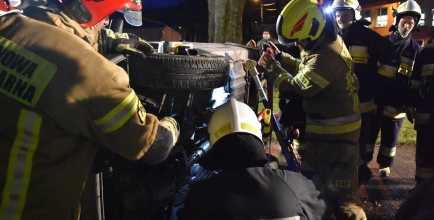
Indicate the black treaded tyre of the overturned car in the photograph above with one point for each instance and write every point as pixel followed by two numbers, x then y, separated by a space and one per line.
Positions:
pixel 160 70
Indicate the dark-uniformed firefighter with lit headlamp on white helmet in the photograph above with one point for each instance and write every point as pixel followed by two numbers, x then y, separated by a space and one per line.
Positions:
pixel 366 47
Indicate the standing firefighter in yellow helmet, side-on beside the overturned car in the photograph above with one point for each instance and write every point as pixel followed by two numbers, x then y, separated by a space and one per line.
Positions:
pixel 324 78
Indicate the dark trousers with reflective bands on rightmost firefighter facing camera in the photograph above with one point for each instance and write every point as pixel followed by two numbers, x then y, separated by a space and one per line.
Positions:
pixel 390 128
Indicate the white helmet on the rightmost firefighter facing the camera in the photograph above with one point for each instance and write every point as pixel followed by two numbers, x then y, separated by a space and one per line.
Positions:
pixel 408 8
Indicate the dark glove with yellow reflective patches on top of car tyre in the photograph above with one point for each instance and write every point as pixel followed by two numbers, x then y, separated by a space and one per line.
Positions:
pixel 125 43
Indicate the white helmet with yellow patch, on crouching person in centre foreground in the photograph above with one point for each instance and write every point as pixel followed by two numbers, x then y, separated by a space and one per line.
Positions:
pixel 233 117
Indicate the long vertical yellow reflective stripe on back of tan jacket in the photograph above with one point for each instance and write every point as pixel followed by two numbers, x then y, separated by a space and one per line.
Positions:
pixel 20 165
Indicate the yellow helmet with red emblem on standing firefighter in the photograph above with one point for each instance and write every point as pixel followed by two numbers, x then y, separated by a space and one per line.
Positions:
pixel 300 19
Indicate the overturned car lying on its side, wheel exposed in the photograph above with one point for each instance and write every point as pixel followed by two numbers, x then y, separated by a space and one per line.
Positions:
pixel 186 81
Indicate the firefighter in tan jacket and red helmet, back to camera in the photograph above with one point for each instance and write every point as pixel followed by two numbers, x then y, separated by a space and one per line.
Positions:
pixel 61 100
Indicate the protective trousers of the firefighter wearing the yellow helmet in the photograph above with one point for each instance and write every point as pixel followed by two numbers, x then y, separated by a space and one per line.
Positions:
pixel 333 169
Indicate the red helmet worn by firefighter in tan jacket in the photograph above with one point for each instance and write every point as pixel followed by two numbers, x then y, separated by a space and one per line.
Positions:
pixel 89 12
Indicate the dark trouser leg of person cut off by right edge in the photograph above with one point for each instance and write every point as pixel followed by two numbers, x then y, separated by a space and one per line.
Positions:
pixel 424 152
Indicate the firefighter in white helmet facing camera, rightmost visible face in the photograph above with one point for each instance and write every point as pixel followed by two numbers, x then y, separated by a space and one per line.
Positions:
pixel 391 108
